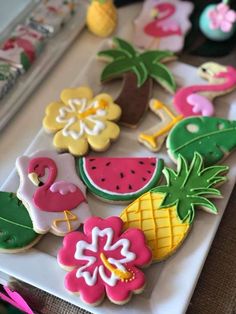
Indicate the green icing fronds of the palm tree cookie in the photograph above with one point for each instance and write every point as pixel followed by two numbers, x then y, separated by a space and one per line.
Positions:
pixel 124 58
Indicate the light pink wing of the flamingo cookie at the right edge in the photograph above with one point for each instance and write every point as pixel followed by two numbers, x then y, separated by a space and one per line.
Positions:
pixel 201 105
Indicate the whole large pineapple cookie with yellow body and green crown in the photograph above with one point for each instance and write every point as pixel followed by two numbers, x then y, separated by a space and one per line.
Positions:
pixel 166 212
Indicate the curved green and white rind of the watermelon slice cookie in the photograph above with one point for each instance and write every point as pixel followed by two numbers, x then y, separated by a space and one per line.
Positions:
pixel 80 166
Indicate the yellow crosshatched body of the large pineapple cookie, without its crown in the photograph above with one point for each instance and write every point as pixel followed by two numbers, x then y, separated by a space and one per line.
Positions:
pixel 163 229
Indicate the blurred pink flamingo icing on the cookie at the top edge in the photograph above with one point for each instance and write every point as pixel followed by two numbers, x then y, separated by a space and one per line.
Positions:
pixel 163 26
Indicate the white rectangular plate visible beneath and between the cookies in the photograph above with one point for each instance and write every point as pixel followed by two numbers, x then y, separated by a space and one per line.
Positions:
pixel 170 284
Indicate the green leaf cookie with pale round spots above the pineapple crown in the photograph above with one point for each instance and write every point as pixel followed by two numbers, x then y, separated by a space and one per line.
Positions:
pixel 214 138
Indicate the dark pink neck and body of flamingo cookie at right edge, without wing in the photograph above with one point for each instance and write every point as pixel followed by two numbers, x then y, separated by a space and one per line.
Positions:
pixel 181 97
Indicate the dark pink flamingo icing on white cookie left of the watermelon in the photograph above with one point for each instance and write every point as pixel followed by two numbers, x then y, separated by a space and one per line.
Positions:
pixel 48 200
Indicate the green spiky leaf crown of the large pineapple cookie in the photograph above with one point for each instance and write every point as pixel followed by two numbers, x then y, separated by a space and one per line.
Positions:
pixel 191 186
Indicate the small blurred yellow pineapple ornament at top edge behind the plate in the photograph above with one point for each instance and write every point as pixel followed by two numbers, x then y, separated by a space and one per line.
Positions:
pixel 102 17
